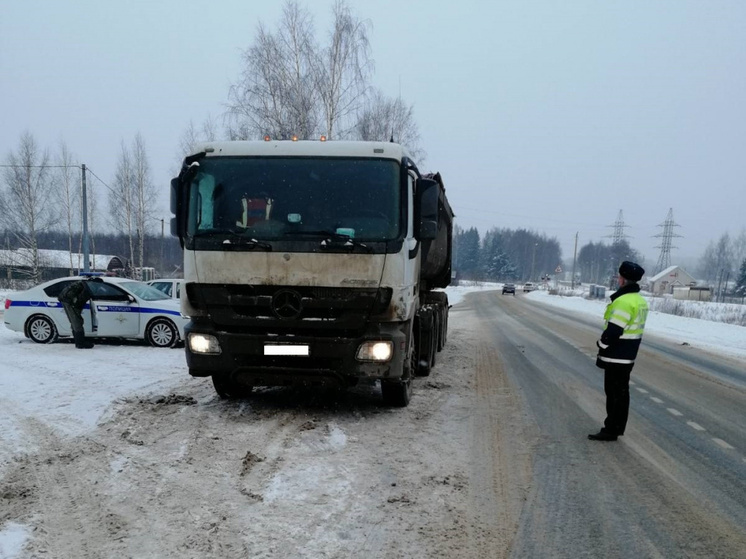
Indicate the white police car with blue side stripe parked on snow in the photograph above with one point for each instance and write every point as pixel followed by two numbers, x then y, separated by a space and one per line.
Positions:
pixel 124 308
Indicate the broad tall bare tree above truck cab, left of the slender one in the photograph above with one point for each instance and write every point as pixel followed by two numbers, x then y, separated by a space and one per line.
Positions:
pixel 275 94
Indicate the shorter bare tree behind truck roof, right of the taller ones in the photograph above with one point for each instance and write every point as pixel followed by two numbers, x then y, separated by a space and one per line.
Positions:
pixel 384 119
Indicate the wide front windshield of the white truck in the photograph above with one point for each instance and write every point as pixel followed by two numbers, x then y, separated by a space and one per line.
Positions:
pixel 280 197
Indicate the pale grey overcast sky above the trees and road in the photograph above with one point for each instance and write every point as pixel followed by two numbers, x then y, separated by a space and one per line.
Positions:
pixel 548 115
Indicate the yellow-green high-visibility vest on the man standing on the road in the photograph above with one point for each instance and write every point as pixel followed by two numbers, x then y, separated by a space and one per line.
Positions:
pixel 629 312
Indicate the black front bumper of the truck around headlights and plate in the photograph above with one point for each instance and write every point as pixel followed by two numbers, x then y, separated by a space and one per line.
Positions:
pixel 330 360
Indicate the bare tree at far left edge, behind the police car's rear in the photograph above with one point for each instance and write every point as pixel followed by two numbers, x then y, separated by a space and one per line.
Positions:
pixel 26 200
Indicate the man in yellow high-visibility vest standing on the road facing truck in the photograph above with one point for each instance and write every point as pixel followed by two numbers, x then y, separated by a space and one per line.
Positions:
pixel 617 349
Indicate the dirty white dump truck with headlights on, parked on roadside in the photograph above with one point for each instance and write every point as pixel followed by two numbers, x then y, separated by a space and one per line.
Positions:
pixel 312 263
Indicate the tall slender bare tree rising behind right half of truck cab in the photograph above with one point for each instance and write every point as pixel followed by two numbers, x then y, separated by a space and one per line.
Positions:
pixel 343 69
